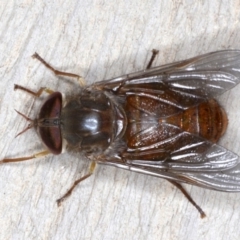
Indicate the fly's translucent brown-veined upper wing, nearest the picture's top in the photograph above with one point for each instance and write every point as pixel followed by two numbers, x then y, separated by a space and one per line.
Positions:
pixel 190 81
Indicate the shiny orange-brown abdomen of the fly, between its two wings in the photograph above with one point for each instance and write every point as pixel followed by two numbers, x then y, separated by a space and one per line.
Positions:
pixel 156 129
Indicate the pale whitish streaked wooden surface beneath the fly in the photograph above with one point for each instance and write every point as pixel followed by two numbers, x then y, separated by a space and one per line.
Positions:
pixel 100 40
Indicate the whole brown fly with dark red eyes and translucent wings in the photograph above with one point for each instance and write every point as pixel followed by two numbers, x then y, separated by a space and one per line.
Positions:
pixel 162 121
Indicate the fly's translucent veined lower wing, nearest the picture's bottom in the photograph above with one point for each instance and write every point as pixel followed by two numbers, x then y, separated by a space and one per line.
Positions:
pixel 193 160
